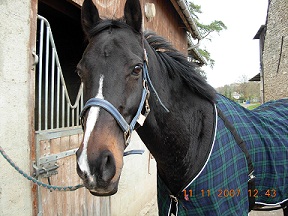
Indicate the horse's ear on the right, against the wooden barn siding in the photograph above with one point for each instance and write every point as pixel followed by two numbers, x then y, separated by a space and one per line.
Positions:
pixel 133 14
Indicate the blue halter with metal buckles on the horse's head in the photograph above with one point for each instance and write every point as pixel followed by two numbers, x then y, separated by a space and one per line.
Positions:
pixel 139 117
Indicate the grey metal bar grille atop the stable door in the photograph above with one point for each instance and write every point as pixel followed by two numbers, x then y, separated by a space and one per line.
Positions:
pixel 53 95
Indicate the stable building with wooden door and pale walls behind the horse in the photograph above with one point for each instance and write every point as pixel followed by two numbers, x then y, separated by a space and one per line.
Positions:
pixel 41 41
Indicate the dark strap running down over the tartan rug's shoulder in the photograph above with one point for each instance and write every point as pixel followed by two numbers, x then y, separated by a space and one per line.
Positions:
pixel 241 144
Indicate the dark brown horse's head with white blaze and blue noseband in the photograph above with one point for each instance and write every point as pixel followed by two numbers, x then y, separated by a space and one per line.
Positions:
pixel 111 70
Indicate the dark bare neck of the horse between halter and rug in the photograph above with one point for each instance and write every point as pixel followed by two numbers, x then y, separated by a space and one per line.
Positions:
pixel 181 139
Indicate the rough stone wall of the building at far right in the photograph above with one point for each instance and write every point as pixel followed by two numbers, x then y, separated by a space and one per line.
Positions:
pixel 275 56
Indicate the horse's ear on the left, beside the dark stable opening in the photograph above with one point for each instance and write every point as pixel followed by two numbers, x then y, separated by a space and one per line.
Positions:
pixel 89 16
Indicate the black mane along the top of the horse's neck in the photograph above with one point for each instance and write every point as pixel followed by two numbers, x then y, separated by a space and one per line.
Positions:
pixel 176 64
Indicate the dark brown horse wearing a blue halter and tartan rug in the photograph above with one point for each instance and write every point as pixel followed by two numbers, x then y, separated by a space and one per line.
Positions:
pixel 213 156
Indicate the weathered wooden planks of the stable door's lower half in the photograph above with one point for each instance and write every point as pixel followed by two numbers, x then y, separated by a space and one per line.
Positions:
pixel 79 202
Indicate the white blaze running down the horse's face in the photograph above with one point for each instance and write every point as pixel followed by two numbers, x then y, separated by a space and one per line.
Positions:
pixel 90 123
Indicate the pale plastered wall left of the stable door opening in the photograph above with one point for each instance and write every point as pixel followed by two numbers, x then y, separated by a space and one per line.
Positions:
pixel 15 105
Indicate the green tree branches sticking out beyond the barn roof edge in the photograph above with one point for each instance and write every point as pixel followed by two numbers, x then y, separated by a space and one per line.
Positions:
pixel 205 30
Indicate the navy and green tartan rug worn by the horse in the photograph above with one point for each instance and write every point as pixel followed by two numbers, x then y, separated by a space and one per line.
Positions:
pixel 221 187
